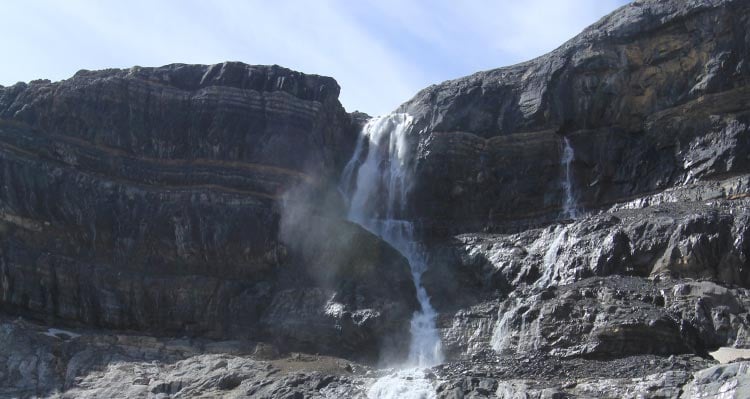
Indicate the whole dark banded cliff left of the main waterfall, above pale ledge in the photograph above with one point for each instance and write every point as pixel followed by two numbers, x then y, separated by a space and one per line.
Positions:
pixel 151 199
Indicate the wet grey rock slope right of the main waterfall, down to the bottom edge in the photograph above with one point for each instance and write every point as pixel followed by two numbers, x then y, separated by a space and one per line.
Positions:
pixel 601 306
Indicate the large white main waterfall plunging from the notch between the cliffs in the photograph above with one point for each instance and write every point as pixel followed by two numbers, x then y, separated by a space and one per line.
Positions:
pixel 377 188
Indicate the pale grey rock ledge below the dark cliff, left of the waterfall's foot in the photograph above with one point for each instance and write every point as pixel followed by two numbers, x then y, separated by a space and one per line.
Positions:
pixel 42 362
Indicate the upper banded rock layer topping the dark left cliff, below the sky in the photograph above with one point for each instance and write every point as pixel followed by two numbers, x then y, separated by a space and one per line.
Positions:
pixel 232 111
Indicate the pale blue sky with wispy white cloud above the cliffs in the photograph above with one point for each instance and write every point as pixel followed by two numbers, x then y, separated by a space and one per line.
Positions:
pixel 380 51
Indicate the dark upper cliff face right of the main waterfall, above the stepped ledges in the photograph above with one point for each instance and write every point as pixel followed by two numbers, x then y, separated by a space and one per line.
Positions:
pixel 653 95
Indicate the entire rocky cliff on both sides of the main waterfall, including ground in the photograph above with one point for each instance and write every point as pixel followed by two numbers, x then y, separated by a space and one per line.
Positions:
pixel 139 205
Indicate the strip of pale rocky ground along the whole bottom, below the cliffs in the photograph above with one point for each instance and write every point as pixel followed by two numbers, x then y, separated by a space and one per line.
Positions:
pixel 39 361
